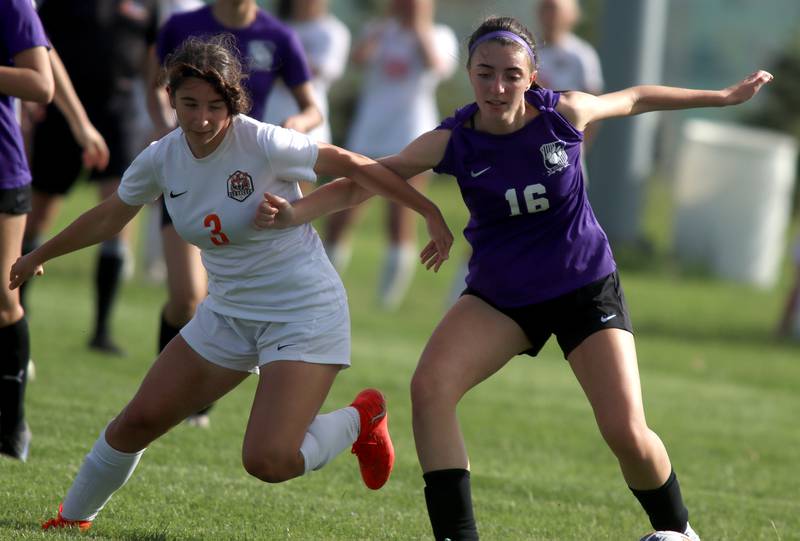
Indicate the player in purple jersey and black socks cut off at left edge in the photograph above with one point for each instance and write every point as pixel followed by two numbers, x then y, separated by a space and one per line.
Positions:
pixel 25 73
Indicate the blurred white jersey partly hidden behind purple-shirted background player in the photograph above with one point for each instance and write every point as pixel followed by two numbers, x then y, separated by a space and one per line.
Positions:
pixel 326 42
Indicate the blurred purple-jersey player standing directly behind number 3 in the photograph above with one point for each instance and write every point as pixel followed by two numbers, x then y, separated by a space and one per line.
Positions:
pixel 270 51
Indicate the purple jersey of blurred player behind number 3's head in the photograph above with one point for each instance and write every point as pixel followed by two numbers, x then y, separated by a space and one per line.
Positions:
pixel 269 49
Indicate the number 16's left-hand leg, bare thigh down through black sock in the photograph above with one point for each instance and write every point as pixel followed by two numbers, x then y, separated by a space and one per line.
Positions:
pixel 455 360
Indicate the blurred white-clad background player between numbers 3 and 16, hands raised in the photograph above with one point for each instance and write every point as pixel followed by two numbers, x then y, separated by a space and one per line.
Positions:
pixel 406 55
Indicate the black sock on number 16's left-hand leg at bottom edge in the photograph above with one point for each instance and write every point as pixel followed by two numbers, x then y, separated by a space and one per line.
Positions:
pixel 449 500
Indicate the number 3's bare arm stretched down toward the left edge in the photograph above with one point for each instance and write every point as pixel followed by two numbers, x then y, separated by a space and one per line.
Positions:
pixel 93 226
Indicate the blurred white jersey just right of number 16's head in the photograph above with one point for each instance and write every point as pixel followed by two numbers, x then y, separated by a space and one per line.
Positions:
pixel 571 64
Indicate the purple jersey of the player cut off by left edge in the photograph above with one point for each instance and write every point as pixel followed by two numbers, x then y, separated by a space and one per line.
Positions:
pixel 20 29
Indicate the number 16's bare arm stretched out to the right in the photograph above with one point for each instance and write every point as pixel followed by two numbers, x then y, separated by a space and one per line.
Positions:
pixel 581 108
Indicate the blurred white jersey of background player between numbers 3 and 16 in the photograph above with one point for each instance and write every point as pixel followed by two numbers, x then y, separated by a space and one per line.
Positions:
pixel 398 100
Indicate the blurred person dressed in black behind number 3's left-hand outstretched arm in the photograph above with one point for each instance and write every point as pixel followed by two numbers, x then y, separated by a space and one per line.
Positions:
pixel 103 44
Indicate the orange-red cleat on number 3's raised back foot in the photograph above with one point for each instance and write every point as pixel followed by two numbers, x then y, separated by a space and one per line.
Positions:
pixel 373 447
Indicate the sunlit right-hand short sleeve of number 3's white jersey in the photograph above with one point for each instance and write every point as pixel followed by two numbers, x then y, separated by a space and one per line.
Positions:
pixel 291 154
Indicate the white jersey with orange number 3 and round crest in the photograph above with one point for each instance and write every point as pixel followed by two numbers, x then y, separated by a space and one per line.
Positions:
pixel 267 275
